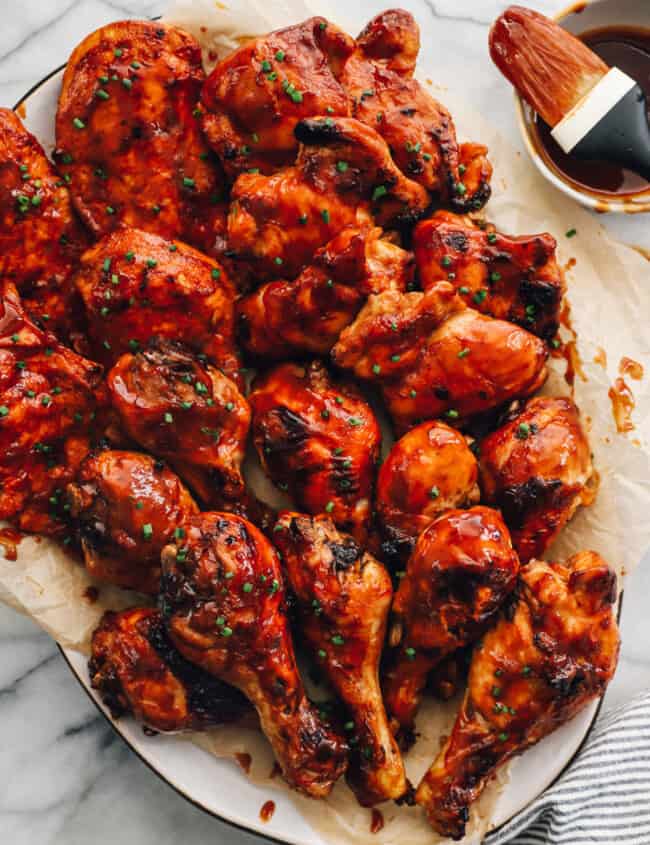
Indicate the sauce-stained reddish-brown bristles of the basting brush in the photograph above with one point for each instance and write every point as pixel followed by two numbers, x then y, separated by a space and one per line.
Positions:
pixel 551 69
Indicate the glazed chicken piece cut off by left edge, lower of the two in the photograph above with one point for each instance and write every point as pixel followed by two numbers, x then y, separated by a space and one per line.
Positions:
pixel 48 396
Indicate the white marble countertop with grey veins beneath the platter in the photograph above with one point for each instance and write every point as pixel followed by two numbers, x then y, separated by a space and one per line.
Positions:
pixel 65 777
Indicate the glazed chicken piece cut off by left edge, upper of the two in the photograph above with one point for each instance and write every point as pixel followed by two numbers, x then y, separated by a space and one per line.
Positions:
pixel 40 237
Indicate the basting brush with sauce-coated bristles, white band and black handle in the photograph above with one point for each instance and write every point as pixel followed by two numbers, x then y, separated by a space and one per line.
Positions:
pixel 596 112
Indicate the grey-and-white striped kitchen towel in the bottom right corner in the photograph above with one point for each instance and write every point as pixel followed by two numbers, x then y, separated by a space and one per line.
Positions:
pixel 603 798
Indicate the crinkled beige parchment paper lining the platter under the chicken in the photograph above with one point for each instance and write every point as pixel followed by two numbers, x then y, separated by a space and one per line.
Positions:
pixel 609 295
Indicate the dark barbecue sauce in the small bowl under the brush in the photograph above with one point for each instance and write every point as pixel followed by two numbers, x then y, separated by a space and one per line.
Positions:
pixel 629 50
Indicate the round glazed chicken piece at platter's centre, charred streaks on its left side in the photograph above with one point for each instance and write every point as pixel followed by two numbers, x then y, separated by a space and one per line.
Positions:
pixel 319 440
